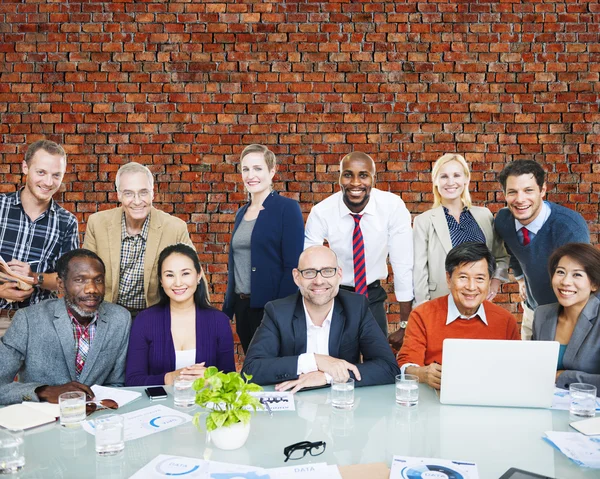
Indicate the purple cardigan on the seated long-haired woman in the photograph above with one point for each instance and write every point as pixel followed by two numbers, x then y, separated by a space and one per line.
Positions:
pixel 151 353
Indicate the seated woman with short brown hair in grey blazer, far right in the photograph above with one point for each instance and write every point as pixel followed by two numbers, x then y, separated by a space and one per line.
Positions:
pixel 575 320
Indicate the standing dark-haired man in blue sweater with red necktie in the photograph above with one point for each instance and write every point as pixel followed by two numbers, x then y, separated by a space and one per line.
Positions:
pixel 532 229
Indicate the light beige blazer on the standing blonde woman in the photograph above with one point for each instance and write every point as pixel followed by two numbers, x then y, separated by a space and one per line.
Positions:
pixel 432 243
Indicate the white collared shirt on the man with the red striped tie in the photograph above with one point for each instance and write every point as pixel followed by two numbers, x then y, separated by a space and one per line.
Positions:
pixel 385 226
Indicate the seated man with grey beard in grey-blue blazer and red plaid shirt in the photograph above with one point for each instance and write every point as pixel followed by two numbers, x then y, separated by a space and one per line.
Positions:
pixel 66 344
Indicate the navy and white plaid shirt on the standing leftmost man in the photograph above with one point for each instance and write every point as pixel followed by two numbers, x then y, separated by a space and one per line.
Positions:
pixel 39 243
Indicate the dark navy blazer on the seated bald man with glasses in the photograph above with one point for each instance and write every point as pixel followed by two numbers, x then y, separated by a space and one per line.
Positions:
pixel 273 353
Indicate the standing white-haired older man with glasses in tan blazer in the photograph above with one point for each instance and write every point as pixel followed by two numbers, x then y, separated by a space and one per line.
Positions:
pixel 130 238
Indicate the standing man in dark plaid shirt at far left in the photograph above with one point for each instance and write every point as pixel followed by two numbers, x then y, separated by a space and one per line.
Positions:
pixel 34 230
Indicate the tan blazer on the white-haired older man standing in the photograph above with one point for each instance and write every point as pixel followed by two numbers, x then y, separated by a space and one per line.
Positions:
pixel 103 236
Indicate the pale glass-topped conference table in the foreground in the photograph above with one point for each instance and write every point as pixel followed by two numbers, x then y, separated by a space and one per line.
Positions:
pixel 373 431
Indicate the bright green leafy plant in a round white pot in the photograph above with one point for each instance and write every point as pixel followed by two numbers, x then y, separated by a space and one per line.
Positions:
pixel 228 397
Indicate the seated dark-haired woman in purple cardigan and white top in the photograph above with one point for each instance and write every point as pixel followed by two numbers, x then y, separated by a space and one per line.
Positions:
pixel 183 334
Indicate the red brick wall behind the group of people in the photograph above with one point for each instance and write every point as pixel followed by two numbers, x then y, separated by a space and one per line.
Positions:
pixel 183 86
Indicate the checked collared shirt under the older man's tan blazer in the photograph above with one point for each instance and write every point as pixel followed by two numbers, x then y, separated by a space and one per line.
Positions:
pixel 131 283
